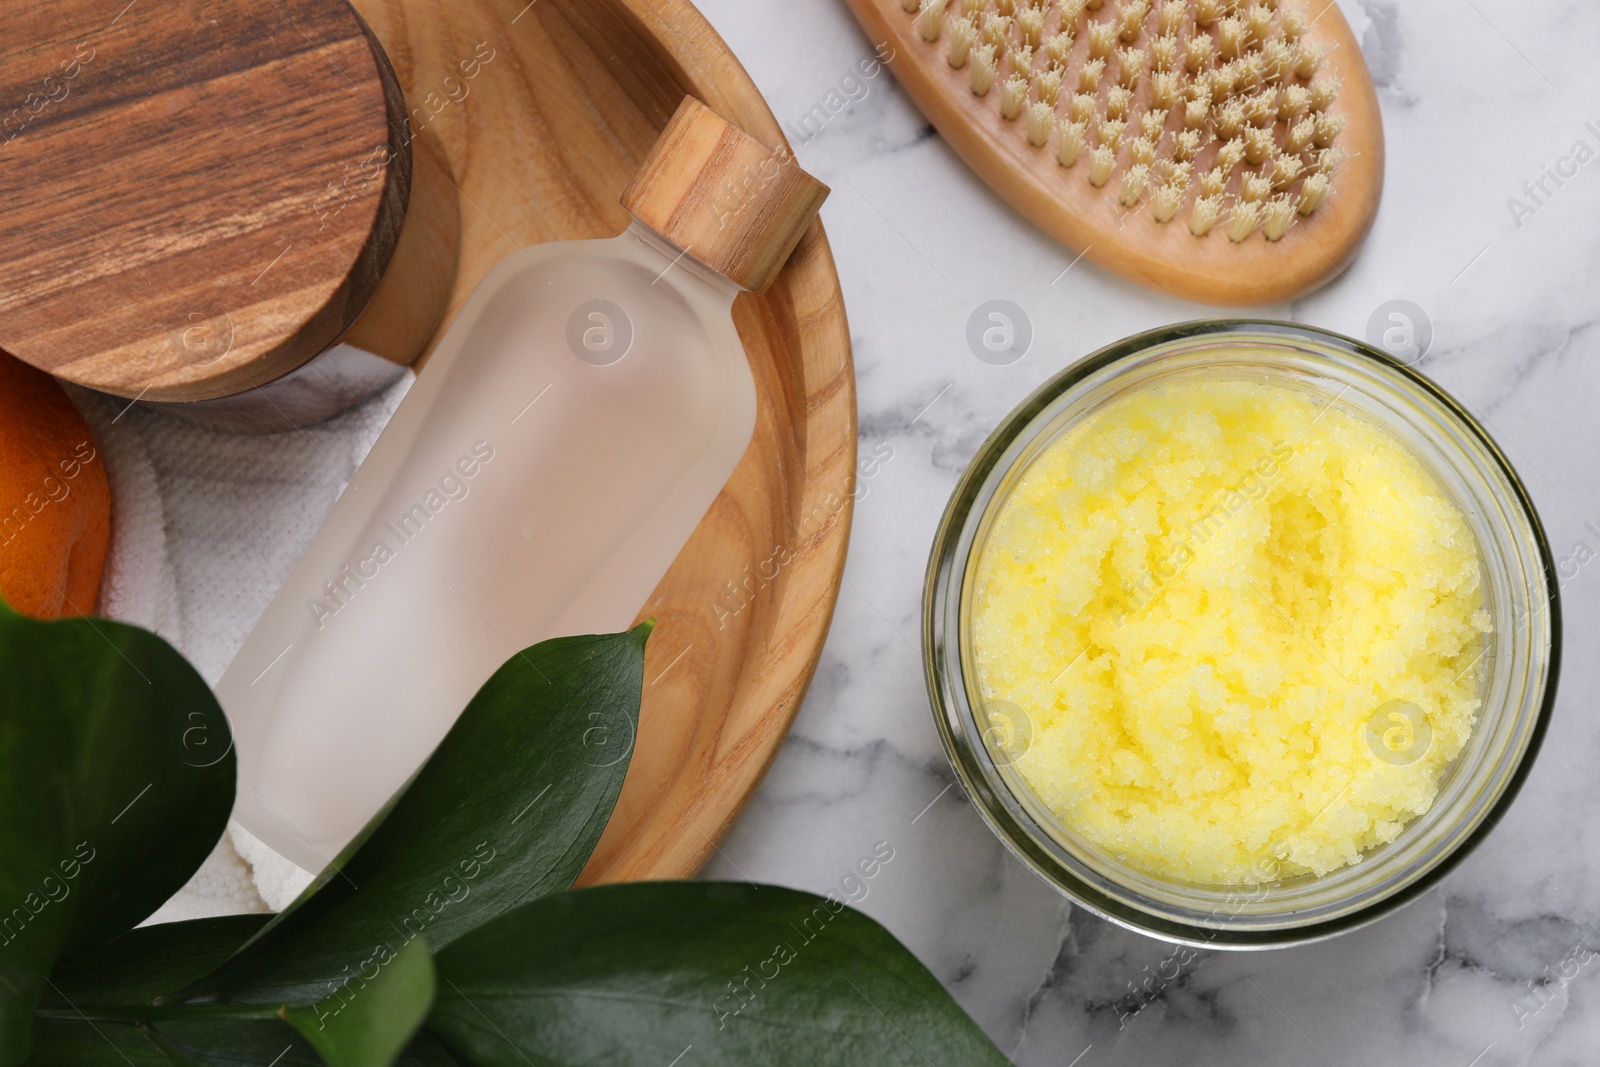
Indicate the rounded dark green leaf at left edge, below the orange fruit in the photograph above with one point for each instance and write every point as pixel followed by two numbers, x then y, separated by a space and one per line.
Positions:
pixel 116 781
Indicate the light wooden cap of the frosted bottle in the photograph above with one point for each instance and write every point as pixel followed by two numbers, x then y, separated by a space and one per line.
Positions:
pixel 724 198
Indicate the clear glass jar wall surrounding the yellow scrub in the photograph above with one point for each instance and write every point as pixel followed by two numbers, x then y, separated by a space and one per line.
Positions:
pixel 1519 663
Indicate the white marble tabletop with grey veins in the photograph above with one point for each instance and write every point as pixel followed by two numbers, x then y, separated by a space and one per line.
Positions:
pixel 1473 110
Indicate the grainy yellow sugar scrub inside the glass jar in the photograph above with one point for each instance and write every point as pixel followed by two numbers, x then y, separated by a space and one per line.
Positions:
pixel 1204 602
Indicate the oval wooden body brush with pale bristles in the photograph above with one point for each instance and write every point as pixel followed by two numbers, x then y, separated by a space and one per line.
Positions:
pixel 1223 151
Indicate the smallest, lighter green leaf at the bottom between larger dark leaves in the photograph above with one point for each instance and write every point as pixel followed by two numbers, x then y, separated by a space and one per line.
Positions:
pixel 370 1021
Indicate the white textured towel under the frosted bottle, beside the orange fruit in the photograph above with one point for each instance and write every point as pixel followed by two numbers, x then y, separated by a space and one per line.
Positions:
pixel 206 527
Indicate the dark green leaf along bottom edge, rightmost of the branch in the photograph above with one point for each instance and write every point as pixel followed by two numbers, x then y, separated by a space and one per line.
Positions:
pixel 713 973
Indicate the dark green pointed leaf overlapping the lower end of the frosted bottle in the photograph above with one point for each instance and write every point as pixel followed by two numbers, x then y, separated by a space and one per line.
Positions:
pixel 506 810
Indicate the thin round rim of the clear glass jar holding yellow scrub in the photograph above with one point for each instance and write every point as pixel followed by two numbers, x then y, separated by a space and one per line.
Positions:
pixel 954 554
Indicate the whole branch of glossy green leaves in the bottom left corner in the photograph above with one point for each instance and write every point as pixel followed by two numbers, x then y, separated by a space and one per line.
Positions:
pixel 447 933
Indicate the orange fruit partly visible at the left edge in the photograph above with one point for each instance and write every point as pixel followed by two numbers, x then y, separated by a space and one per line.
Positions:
pixel 55 500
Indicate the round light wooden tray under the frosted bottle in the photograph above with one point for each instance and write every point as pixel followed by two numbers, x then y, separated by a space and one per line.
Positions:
pixel 543 138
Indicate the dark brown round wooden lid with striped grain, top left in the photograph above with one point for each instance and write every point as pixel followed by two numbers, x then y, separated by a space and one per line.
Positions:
pixel 202 198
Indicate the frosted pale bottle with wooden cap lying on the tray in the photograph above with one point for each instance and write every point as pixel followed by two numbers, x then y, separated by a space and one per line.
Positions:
pixel 569 434
